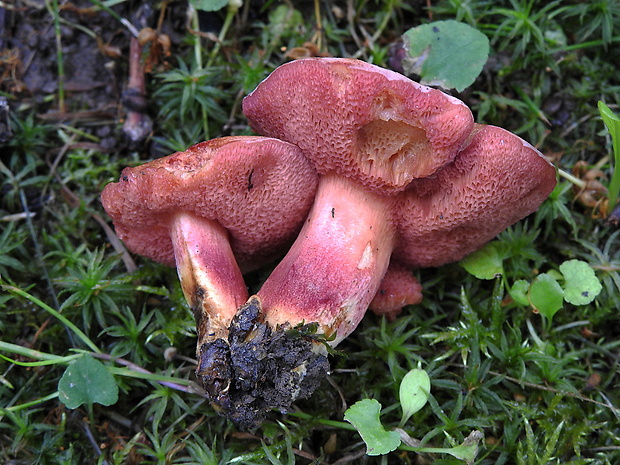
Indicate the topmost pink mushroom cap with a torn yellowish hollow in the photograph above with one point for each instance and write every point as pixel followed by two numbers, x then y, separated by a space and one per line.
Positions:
pixel 367 123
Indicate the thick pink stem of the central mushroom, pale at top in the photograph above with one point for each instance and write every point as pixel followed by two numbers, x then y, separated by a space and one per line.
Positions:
pixel 333 270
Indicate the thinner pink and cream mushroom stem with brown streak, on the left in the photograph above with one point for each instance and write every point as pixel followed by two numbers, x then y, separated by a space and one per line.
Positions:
pixel 206 266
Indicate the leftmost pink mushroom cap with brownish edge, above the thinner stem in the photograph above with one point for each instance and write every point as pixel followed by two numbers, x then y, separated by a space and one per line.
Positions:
pixel 259 189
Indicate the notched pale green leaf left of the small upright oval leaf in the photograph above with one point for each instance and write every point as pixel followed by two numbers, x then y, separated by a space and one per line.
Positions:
pixel 364 415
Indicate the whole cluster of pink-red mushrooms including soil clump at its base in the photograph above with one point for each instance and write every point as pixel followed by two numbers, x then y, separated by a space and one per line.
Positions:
pixel 406 179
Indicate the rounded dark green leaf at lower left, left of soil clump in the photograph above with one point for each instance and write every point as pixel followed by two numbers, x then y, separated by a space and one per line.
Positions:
pixel 87 381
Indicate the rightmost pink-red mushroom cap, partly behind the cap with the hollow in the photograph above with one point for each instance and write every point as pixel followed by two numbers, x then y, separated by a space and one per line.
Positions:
pixel 495 181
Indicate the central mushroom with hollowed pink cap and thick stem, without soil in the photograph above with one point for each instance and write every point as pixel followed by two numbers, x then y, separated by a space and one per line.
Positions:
pixel 369 132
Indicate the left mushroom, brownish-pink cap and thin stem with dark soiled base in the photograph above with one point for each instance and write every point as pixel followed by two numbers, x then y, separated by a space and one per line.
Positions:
pixel 216 210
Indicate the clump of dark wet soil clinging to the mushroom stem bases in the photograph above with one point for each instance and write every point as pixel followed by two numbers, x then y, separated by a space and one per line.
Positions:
pixel 259 368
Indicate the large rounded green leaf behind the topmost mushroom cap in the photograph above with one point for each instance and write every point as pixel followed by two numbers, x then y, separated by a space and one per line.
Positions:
pixel 448 54
